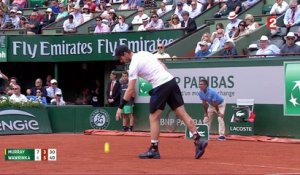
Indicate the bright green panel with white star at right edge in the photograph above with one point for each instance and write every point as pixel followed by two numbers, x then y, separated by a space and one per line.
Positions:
pixel 292 88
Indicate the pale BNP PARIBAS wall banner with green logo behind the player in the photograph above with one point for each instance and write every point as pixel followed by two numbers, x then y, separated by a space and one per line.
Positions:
pixel 263 84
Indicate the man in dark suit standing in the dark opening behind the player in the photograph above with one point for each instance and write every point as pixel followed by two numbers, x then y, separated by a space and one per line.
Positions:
pixel 113 91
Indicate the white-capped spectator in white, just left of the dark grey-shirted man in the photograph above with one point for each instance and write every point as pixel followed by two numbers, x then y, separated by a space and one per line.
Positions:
pixel 266 48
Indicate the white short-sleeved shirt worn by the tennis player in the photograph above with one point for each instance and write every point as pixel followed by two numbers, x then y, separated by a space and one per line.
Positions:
pixel 147 66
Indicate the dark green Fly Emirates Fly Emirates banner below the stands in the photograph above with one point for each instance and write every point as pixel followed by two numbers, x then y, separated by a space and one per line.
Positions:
pixel 84 47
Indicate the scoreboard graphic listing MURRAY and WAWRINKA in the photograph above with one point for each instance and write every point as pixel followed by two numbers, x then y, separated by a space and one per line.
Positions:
pixel 25 154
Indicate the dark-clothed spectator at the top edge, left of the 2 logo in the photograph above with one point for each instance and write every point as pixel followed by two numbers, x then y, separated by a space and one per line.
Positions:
pixel 229 6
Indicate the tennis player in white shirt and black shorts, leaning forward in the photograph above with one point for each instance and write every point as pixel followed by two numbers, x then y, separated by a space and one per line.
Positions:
pixel 165 90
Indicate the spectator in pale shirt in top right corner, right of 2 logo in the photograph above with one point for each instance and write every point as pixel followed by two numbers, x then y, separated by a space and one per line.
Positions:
pixel 292 15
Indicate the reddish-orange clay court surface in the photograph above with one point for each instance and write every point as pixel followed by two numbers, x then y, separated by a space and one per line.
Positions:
pixel 84 154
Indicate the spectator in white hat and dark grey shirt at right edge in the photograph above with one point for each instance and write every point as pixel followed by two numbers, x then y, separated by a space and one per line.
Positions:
pixel 290 47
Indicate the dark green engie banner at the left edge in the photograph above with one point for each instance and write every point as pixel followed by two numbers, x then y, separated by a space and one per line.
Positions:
pixel 24 121
